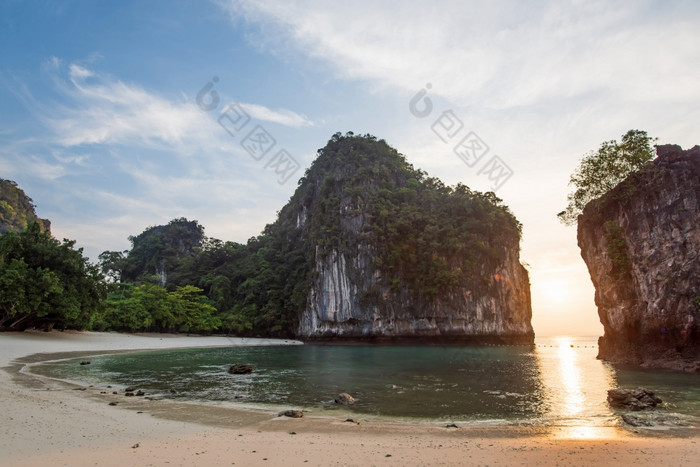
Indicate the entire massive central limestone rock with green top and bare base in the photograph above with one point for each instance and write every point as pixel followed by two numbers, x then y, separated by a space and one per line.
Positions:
pixel 399 256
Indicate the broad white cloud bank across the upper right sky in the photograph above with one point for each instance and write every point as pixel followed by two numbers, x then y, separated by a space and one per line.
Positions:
pixel 498 54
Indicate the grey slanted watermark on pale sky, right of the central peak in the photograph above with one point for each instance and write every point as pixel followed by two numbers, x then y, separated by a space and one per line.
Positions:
pixel 466 144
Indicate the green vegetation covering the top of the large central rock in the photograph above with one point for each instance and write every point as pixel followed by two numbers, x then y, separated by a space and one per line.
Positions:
pixel 427 237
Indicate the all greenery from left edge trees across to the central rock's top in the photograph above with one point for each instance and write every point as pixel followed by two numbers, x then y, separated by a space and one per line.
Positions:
pixel 425 239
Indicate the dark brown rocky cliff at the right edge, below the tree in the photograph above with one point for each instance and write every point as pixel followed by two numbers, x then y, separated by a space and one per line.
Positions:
pixel 641 243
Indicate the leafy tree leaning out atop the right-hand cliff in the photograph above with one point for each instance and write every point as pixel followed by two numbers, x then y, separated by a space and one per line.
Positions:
pixel 600 171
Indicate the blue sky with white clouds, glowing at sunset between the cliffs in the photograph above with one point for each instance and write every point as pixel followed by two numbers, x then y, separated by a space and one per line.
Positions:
pixel 116 116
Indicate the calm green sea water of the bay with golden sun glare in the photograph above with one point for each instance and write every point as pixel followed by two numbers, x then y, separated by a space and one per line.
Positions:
pixel 558 381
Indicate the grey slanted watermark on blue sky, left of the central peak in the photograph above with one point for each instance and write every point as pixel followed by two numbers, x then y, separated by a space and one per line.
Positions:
pixel 257 142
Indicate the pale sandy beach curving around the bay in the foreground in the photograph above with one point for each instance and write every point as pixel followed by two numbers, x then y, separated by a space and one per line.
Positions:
pixel 51 422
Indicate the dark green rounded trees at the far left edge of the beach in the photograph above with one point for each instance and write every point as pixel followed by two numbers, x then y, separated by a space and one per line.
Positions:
pixel 46 283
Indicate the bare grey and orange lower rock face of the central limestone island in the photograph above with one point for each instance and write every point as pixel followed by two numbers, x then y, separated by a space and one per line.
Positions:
pixel 336 307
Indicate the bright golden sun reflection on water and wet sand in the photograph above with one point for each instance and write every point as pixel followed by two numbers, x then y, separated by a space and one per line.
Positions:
pixel 576 385
